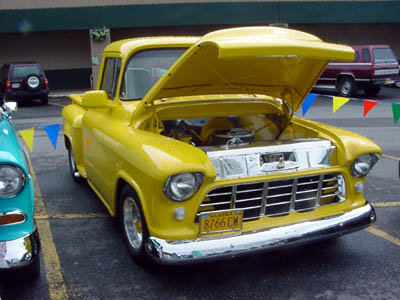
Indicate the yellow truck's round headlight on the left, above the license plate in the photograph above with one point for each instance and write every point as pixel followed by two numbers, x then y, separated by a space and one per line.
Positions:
pixel 182 186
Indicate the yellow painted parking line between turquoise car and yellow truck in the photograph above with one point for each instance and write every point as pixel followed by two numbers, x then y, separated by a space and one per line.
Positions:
pixel 55 281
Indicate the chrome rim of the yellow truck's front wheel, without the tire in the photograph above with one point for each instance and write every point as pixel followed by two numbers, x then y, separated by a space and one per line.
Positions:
pixel 132 223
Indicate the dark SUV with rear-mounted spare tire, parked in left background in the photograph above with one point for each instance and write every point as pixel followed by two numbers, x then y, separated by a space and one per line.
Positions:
pixel 23 80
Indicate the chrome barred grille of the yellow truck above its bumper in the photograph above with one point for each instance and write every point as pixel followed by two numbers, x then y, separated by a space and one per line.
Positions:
pixel 276 197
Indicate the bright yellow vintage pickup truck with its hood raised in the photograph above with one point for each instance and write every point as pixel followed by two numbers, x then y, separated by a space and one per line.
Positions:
pixel 208 161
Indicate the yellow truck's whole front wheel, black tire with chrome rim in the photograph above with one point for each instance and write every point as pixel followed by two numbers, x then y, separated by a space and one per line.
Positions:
pixel 133 223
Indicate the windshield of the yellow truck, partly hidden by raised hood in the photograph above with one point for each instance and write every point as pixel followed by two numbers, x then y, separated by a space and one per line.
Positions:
pixel 144 69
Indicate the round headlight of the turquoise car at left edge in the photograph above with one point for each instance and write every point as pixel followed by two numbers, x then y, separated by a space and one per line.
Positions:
pixel 12 180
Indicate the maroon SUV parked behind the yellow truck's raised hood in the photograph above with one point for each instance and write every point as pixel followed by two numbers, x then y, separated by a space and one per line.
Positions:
pixel 373 67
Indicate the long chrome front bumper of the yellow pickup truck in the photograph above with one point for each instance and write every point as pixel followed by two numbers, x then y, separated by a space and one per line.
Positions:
pixel 205 249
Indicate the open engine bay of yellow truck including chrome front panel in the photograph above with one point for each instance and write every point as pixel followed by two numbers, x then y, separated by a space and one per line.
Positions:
pixel 251 145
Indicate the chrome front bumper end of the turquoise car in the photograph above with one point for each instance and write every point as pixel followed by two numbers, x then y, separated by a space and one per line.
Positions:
pixel 20 252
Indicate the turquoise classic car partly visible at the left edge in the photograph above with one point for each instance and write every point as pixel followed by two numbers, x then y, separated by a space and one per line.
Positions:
pixel 19 238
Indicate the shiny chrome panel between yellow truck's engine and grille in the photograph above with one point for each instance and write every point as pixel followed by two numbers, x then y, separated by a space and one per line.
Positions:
pixel 260 158
